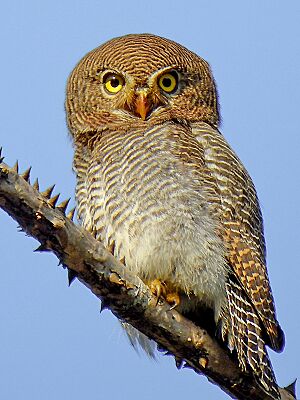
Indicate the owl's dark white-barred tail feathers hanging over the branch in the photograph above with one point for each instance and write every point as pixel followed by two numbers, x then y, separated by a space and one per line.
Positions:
pixel 246 337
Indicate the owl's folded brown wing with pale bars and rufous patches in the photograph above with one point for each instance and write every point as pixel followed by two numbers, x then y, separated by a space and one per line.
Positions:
pixel 242 226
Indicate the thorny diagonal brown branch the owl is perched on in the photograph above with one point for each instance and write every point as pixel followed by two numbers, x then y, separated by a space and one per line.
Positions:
pixel 123 293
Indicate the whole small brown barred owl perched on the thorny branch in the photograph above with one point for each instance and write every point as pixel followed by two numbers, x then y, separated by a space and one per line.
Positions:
pixel 159 185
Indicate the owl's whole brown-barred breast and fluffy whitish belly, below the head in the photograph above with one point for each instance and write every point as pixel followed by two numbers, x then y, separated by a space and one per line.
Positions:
pixel 148 192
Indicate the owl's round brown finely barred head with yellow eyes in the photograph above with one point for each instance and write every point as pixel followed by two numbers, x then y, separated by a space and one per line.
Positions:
pixel 140 79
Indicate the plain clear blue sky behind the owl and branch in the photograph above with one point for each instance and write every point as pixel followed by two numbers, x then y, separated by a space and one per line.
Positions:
pixel 54 344
